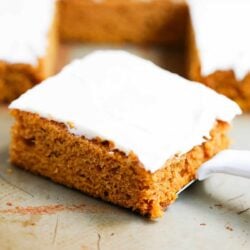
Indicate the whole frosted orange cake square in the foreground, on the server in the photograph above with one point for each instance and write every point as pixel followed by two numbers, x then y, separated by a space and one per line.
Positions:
pixel 118 127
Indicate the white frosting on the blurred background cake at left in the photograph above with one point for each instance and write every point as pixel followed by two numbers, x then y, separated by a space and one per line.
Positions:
pixel 24 27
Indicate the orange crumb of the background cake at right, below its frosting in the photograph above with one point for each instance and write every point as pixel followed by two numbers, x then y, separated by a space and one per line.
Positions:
pixel 224 82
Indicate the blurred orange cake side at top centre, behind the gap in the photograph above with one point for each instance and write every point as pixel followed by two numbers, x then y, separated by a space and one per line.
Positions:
pixel 119 21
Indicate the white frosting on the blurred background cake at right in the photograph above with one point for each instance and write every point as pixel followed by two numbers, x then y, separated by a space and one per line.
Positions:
pixel 222 35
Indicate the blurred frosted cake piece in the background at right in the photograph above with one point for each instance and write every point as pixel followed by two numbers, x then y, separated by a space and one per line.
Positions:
pixel 218 47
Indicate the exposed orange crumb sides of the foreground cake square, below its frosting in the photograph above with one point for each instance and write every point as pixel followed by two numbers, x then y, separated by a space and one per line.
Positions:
pixel 94 167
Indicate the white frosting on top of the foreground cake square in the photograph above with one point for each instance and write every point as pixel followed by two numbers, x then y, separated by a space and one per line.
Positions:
pixel 139 106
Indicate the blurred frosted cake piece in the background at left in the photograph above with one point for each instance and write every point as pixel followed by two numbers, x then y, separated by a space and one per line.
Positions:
pixel 27 45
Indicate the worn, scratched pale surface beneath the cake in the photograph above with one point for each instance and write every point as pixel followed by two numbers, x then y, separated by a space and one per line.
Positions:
pixel 209 215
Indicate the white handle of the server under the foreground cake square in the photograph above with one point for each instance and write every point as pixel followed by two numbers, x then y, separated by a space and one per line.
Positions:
pixel 233 162
